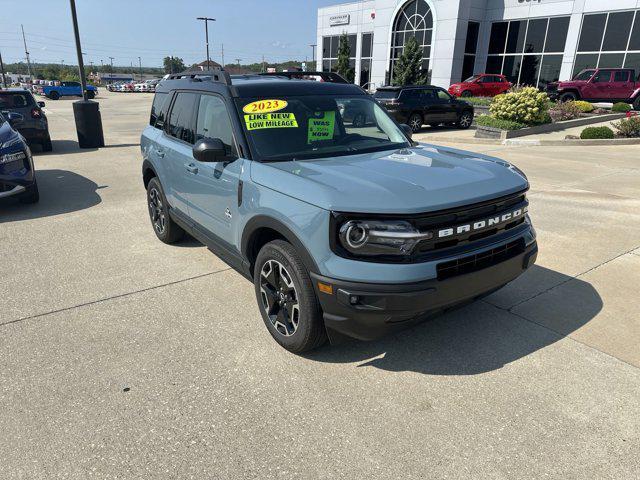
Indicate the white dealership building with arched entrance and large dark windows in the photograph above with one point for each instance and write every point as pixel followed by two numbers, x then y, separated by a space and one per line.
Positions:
pixel 532 42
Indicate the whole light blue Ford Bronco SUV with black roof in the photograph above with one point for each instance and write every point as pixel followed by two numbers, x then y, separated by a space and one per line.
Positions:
pixel 344 229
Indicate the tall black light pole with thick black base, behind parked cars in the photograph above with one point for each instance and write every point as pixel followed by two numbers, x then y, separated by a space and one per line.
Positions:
pixel 86 112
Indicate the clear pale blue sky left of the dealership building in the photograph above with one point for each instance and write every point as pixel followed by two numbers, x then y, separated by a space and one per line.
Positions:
pixel 152 29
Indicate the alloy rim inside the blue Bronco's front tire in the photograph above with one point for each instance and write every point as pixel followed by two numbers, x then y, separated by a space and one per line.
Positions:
pixel 279 297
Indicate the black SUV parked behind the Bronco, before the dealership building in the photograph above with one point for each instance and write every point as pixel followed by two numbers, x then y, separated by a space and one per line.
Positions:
pixel 425 105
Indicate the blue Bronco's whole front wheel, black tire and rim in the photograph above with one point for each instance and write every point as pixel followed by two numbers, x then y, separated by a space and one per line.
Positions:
pixel 286 298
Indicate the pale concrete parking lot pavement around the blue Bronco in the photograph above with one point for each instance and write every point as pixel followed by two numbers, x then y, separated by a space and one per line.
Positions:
pixel 121 357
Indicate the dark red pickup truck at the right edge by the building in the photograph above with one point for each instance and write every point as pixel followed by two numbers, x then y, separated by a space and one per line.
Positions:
pixel 599 85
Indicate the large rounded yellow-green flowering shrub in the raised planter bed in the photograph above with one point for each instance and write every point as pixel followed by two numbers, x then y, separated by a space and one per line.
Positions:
pixel 528 106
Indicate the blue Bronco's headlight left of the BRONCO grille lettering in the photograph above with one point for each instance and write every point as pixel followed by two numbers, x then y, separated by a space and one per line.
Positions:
pixel 380 237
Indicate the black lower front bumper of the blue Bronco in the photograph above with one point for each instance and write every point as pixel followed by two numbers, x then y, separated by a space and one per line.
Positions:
pixel 369 311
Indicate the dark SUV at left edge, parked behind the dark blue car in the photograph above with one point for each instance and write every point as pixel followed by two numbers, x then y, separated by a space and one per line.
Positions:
pixel 33 125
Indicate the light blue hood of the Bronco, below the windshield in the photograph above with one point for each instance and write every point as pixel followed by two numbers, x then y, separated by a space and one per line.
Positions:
pixel 414 180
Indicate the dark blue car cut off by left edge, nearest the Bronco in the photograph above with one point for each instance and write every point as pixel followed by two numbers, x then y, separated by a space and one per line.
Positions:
pixel 17 173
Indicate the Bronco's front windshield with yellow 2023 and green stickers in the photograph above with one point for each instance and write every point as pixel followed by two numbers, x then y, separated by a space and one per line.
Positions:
pixel 314 126
